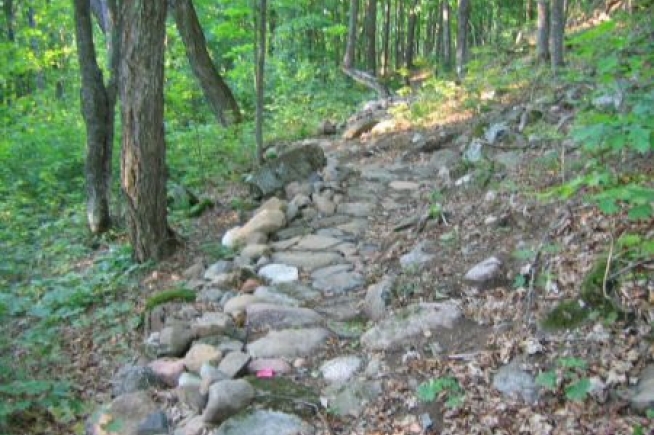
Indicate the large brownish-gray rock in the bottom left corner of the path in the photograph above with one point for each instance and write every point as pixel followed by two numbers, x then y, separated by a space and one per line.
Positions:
pixel 126 412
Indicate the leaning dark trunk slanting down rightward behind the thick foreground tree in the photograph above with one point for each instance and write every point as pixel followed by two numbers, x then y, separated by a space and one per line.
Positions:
pixel 217 93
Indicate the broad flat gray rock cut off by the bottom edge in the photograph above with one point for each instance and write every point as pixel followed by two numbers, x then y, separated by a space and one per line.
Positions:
pixel 265 422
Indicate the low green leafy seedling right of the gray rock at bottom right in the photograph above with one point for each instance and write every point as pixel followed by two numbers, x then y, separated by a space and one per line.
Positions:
pixel 569 377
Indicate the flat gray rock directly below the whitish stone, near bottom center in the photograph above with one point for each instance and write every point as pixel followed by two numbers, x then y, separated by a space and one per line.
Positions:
pixel 352 398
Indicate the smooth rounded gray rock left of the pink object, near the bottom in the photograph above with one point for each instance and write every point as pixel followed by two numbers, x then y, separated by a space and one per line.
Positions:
pixel 227 398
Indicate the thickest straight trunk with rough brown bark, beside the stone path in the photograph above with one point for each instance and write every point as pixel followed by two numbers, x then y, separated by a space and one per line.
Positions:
pixel 143 159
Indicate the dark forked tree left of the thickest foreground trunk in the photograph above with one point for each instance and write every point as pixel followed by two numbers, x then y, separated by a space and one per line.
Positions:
pixel 98 109
